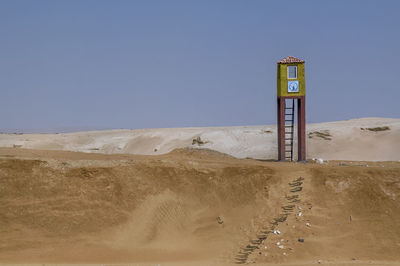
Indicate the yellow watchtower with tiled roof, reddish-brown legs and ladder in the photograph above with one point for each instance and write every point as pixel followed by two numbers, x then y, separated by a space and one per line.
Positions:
pixel 291 89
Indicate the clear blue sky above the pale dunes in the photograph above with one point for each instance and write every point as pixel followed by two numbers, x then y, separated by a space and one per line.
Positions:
pixel 147 64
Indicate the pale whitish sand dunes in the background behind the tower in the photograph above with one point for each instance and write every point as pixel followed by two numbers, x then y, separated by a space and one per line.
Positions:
pixel 344 140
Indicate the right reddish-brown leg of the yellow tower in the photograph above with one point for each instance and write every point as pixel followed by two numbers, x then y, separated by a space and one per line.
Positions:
pixel 301 128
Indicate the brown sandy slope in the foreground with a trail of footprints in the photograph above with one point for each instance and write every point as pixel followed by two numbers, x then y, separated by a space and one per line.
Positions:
pixel 195 207
